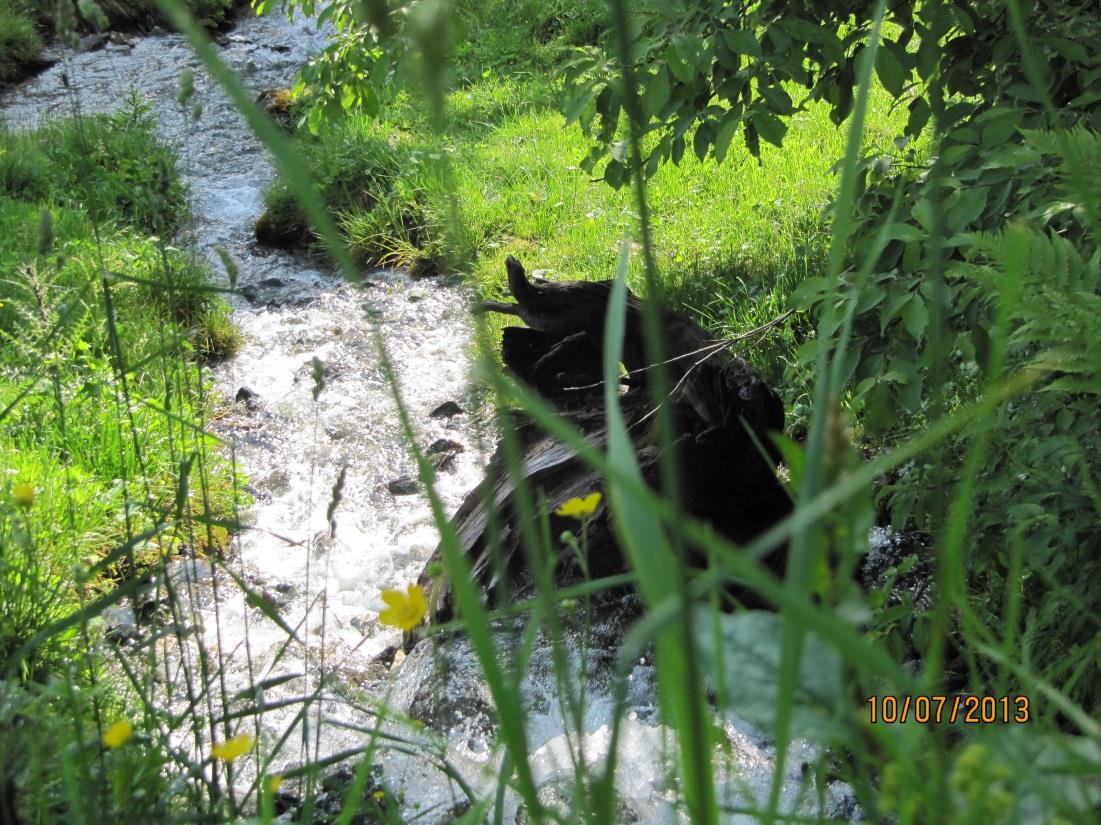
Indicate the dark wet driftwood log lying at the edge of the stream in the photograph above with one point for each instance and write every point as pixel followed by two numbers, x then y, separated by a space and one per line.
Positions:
pixel 723 410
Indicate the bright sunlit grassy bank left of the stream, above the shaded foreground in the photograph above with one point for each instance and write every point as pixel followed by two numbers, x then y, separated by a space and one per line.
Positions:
pixel 105 330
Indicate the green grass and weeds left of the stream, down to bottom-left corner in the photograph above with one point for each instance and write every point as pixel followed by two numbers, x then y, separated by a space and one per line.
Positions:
pixel 104 330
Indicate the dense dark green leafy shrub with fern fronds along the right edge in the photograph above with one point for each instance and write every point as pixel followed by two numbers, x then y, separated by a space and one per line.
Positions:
pixel 982 264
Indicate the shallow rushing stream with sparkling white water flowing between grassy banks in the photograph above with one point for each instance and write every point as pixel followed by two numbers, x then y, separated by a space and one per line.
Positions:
pixel 325 580
